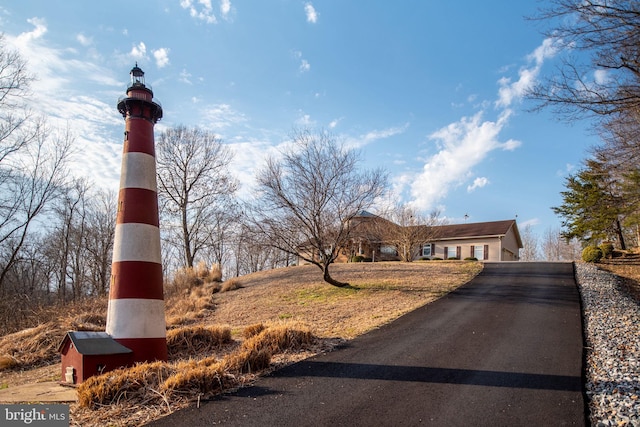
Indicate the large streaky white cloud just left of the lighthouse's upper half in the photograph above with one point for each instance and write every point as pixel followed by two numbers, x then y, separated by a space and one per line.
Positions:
pixel 67 103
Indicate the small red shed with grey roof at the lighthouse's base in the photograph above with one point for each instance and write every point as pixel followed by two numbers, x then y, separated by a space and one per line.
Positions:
pixel 87 353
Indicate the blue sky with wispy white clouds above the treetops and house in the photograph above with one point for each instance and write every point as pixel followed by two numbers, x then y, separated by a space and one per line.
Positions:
pixel 430 90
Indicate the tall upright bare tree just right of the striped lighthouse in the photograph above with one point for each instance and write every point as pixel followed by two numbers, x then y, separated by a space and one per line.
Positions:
pixel 194 187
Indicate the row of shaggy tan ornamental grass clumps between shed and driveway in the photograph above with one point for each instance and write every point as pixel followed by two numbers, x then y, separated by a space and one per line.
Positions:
pixel 162 383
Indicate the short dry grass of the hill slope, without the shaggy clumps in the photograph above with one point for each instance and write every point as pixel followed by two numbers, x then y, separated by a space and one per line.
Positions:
pixel 379 293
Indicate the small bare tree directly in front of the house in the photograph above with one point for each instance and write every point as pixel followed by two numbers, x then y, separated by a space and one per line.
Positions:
pixel 407 230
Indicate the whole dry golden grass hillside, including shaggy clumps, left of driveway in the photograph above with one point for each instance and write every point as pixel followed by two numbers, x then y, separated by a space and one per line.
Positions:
pixel 221 335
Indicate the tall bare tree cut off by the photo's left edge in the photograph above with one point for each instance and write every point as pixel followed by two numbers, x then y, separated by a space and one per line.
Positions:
pixel 33 162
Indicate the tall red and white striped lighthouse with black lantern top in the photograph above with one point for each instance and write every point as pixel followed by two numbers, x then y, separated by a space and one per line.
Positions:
pixel 135 316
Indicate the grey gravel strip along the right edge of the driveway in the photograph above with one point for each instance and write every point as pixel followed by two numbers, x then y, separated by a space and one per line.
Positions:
pixel 612 330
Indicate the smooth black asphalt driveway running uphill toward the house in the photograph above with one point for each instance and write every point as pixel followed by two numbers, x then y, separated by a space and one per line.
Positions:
pixel 503 350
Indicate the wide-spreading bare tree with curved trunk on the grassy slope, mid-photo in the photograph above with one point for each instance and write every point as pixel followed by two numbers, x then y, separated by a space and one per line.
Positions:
pixel 309 196
